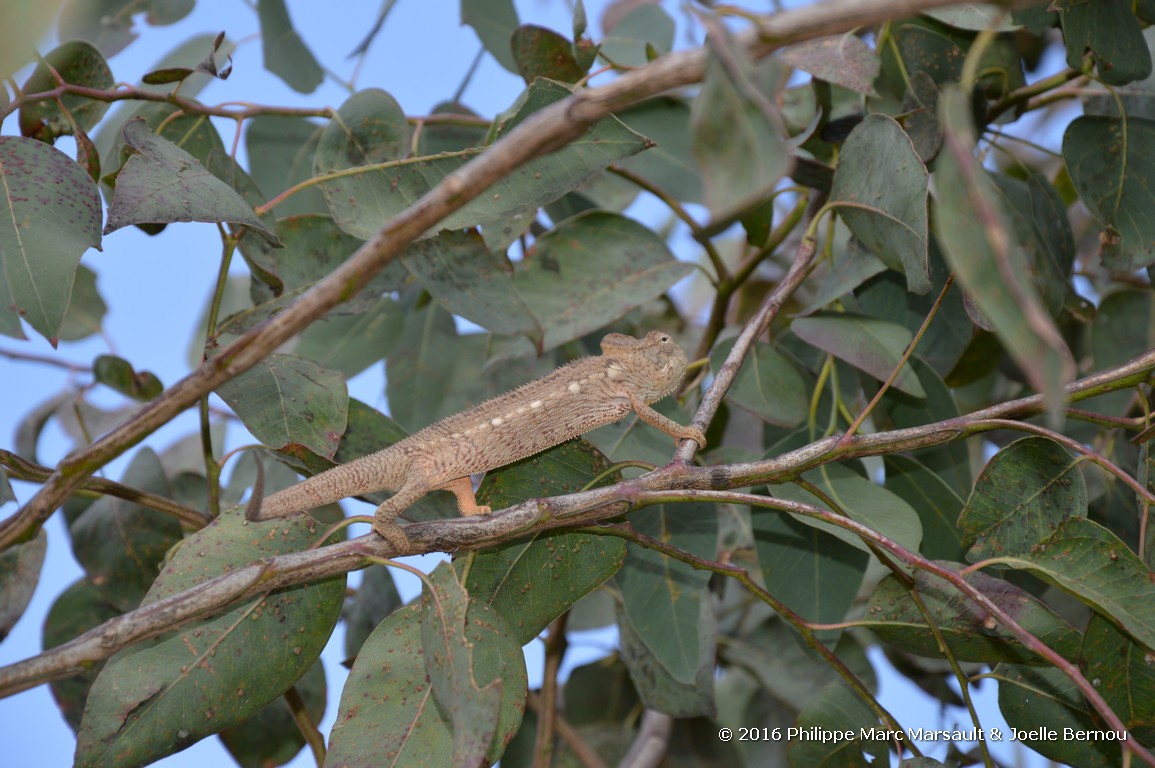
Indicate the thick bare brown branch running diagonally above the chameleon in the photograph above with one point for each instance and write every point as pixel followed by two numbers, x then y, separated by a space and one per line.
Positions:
pixel 543 132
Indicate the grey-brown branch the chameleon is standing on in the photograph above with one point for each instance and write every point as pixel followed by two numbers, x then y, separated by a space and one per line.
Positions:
pixel 676 482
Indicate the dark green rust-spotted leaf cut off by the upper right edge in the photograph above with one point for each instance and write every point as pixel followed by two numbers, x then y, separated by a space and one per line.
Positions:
pixel 1112 163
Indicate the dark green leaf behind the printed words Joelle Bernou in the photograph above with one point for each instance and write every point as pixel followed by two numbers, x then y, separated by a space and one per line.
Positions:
pixel 1042 703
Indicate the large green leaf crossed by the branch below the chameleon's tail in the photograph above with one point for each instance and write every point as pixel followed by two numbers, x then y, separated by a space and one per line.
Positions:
pixel 163 695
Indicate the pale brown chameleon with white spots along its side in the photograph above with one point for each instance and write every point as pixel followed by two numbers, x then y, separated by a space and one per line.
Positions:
pixel 588 393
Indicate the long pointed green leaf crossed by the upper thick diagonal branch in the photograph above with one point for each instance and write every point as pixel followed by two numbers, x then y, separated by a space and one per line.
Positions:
pixel 364 198
